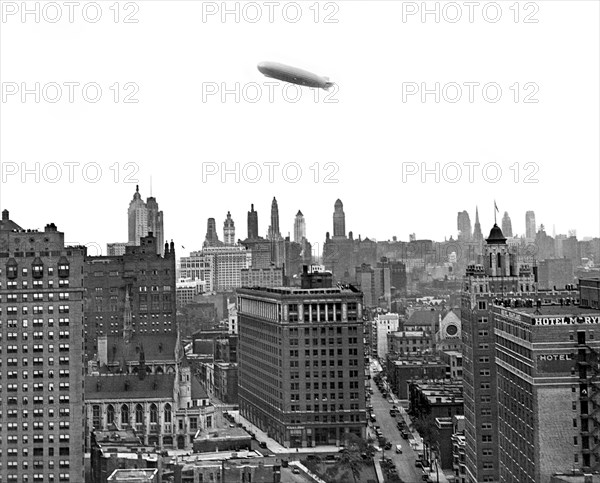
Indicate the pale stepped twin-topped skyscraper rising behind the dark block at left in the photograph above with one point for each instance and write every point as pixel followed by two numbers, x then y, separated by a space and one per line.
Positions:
pixel 144 218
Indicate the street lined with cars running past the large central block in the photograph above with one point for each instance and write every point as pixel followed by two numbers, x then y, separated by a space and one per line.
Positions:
pixel 405 462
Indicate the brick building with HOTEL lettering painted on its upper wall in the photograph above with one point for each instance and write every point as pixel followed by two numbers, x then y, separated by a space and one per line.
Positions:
pixel 548 387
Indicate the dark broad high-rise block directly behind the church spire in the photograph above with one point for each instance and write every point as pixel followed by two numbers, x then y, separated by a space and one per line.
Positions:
pixel 140 279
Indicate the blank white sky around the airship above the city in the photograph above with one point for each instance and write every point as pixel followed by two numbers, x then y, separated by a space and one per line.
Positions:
pixel 514 117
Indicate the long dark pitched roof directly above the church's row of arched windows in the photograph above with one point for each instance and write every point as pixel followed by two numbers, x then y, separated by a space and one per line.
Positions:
pixel 111 387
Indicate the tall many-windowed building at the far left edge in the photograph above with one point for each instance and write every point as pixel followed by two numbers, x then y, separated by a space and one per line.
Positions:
pixel 41 302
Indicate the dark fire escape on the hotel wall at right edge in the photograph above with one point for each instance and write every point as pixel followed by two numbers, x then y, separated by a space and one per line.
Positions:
pixel 588 363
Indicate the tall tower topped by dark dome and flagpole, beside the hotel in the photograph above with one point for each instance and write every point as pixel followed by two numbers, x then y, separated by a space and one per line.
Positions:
pixel 497 276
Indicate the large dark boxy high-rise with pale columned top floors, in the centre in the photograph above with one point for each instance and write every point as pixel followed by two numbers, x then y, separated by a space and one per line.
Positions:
pixel 305 385
